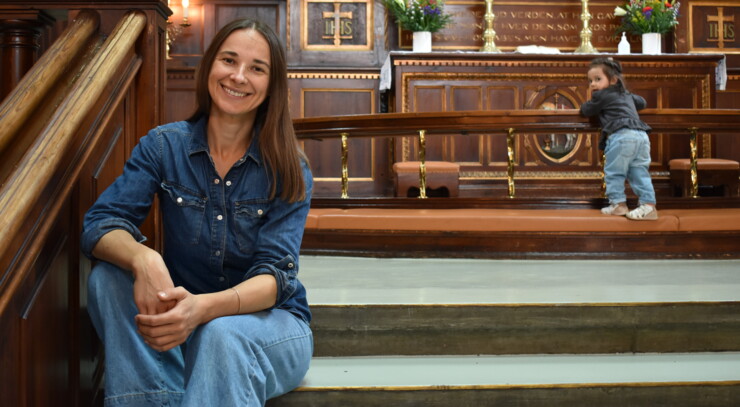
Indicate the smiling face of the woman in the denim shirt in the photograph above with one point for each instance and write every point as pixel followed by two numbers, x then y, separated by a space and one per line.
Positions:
pixel 240 74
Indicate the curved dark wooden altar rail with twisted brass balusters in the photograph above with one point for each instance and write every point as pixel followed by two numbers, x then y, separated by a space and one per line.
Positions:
pixel 511 123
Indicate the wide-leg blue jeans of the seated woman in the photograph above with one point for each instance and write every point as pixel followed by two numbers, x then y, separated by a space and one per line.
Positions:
pixel 240 360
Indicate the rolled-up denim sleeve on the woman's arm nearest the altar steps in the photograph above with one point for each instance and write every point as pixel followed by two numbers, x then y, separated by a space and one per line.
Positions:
pixel 279 242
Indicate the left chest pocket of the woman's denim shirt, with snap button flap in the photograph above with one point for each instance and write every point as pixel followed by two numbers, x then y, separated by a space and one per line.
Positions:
pixel 183 211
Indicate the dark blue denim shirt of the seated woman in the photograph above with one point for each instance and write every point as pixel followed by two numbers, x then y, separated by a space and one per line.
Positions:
pixel 217 232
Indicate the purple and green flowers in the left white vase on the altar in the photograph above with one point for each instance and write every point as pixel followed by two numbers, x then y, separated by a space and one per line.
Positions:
pixel 419 15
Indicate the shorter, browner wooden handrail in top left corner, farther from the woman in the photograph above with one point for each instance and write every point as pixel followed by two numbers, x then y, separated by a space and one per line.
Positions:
pixel 17 108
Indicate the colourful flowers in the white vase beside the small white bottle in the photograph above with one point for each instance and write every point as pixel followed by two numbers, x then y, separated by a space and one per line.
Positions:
pixel 648 16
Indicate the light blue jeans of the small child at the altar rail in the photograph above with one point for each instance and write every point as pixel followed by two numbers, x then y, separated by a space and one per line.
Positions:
pixel 628 158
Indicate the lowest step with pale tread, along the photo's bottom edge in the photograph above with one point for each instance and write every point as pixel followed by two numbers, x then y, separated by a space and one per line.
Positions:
pixel 675 380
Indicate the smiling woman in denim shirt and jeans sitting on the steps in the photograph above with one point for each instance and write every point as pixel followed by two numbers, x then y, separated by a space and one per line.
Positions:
pixel 220 315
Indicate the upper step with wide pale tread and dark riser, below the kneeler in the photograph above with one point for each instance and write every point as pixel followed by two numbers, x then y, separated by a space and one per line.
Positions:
pixel 366 306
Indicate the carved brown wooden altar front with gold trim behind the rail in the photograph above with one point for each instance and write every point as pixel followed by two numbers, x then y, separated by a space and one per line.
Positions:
pixel 471 81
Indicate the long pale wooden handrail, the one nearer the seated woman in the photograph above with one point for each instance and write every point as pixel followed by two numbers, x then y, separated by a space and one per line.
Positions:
pixel 26 183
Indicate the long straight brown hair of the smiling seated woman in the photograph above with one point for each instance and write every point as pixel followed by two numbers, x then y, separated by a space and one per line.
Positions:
pixel 277 141
